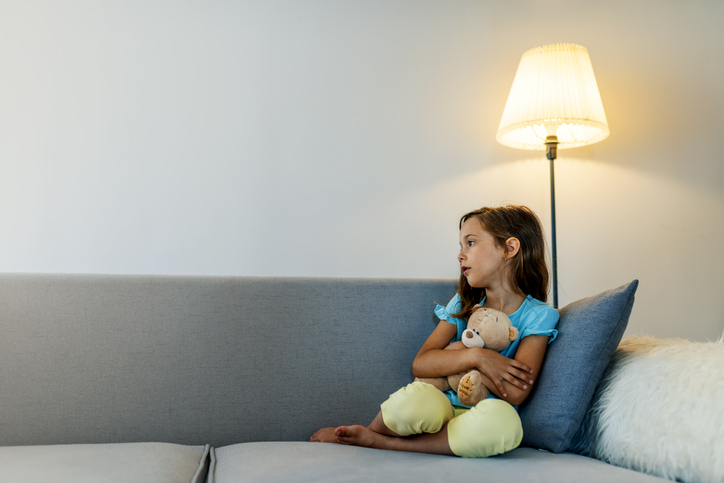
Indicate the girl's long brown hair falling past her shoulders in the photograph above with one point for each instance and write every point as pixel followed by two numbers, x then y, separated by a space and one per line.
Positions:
pixel 529 271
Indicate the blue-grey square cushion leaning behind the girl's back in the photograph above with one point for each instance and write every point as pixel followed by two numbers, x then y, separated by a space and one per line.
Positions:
pixel 588 333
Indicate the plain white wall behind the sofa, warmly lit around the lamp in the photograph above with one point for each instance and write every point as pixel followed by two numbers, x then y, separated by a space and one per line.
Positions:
pixel 345 138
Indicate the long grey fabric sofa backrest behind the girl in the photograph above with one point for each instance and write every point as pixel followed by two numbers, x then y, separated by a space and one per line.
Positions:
pixel 202 360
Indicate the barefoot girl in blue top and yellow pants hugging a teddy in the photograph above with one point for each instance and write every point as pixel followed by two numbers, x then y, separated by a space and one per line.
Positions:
pixel 502 262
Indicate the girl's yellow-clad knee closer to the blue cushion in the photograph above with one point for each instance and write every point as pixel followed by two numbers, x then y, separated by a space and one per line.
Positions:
pixel 492 427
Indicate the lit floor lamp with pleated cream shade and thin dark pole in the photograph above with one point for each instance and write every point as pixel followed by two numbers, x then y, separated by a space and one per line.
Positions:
pixel 554 104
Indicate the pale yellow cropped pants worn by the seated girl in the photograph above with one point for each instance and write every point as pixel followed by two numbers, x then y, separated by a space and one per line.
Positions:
pixel 492 427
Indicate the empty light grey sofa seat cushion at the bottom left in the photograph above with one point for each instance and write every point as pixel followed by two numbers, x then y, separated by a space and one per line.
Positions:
pixel 107 463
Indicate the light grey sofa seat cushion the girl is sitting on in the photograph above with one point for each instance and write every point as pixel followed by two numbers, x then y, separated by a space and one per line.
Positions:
pixel 319 462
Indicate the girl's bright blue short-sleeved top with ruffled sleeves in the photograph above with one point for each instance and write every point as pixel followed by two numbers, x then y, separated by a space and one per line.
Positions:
pixel 533 317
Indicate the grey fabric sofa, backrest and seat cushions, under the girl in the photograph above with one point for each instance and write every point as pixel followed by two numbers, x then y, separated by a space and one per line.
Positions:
pixel 223 379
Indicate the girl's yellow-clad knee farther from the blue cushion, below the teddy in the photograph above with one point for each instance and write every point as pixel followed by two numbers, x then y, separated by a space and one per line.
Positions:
pixel 416 408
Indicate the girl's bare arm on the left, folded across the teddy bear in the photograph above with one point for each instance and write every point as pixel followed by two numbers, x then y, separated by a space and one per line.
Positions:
pixel 433 361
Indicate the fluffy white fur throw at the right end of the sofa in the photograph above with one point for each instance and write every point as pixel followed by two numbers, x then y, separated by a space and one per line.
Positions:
pixel 659 410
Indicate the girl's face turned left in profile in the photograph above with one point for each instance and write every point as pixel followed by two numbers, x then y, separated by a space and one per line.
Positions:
pixel 482 261
